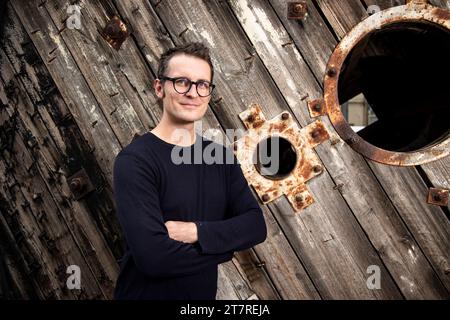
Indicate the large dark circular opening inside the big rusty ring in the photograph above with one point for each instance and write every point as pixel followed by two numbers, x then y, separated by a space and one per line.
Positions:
pixel 394 86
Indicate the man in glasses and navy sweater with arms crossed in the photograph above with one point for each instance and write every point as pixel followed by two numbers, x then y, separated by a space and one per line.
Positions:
pixel 180 220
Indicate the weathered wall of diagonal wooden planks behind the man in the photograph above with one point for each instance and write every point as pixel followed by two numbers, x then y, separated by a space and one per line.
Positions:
pixel 70 101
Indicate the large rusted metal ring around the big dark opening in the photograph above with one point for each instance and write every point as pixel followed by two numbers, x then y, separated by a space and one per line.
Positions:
pixel 412 12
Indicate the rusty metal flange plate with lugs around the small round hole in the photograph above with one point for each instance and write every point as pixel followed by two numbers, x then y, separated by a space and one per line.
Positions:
pixel 303 141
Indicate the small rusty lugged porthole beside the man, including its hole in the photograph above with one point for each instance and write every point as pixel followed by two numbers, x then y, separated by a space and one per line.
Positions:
pixel 298 163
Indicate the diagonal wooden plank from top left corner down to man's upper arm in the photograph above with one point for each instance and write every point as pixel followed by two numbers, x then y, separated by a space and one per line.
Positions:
pixel 70 82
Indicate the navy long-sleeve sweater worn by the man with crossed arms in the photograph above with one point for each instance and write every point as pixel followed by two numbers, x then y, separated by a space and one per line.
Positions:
pixel 150 189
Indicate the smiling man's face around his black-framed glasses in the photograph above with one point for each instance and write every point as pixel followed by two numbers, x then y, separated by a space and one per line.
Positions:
pixel 188 107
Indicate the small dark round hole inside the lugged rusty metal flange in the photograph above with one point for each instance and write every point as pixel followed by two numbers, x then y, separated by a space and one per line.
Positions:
pixel 275 158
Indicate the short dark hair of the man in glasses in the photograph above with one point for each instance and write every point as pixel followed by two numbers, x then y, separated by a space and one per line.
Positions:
pixel 196 49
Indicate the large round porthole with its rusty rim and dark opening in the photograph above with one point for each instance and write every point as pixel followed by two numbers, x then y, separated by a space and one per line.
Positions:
pixel 394 59
